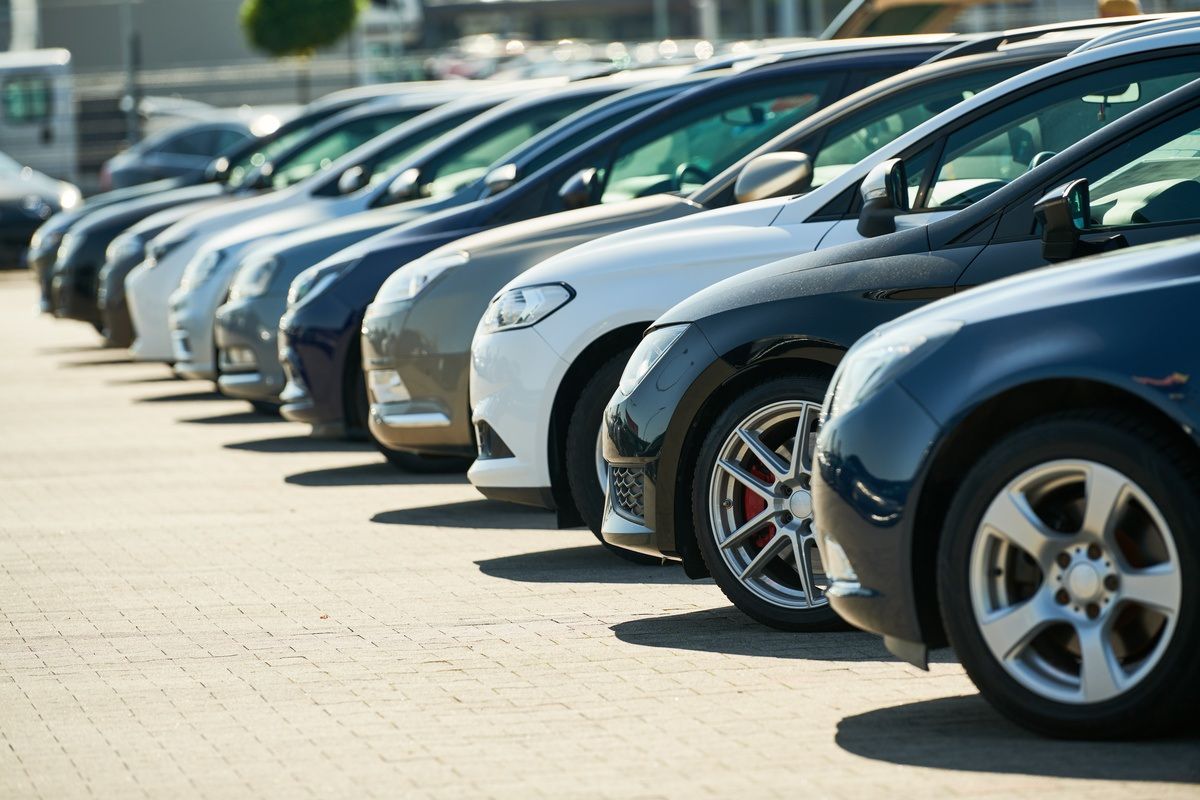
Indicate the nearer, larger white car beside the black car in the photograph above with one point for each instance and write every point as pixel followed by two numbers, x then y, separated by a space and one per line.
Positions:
pixel 550 350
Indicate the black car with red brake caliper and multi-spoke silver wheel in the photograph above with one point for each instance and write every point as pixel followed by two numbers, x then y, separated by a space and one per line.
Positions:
pixel 711 447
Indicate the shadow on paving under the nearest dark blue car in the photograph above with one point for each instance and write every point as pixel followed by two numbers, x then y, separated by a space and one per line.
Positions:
pixel 965 733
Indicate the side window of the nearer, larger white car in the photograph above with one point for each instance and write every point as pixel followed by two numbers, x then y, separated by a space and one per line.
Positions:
pixel 1003 146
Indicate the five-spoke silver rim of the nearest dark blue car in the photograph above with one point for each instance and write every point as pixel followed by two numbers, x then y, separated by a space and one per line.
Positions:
pixel 1076 584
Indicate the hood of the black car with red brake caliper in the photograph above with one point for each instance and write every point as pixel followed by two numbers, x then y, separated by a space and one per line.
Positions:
pixel 807 275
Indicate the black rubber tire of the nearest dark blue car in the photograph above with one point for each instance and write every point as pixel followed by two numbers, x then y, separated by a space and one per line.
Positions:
pixel 1166 700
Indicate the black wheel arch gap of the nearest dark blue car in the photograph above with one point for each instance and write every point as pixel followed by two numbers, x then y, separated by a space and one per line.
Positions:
pixel 979 431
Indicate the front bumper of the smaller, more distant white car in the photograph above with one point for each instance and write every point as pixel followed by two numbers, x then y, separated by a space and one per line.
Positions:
pixel 147 292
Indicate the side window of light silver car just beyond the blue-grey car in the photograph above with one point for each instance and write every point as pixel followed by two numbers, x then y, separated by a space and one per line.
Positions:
pixel 470 160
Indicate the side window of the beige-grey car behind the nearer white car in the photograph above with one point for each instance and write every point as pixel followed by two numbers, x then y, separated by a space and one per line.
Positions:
pixel 879 124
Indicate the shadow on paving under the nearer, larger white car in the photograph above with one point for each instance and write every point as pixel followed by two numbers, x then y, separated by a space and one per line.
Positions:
pixel 587 564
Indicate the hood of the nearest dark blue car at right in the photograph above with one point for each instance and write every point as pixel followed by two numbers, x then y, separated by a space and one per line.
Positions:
pixel 1097 278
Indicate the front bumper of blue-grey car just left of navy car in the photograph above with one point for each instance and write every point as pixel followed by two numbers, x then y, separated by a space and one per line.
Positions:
pixel 247 334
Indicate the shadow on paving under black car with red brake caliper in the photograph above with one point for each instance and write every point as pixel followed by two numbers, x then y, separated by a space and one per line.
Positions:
pixel 728 630
